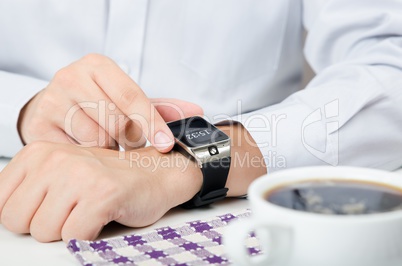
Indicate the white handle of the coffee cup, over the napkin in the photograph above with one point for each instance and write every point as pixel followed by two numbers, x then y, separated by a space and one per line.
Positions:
pixel 275 241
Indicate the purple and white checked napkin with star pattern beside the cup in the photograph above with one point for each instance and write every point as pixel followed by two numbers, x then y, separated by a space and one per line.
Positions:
pixel 192 243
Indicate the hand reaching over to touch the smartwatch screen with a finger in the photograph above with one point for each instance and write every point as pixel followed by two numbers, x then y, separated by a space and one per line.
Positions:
pixel 92 102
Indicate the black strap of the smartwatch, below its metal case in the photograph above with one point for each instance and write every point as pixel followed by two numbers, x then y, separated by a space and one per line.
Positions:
pixel 215 174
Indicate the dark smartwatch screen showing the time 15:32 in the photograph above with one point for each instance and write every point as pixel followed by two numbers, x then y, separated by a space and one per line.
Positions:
pixel 196 131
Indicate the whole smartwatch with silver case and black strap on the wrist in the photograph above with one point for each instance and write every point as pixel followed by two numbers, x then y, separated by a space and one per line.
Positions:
pixel 210 148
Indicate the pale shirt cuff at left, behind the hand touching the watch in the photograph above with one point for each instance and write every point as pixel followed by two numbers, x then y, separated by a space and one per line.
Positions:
pixel 15 91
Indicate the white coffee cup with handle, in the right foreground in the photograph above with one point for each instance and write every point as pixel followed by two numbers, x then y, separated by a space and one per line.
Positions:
pixel 298 238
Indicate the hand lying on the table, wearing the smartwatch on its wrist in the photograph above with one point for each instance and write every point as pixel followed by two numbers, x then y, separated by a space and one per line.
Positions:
pixel 61 191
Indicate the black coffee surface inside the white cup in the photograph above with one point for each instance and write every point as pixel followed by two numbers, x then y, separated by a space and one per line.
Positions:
pixel 340 197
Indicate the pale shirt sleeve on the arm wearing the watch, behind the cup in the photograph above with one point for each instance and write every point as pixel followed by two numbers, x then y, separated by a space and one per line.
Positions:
pixel 351 112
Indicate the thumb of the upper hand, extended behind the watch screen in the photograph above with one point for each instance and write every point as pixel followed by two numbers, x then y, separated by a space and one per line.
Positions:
pixel 174 109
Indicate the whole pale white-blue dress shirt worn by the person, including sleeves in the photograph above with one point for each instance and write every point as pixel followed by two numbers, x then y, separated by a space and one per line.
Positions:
pixel 231 57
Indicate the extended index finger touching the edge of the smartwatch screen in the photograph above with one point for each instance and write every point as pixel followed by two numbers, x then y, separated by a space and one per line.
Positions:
pixel 133 102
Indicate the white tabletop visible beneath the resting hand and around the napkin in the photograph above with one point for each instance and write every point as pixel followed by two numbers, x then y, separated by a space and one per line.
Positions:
pixel 24 250
